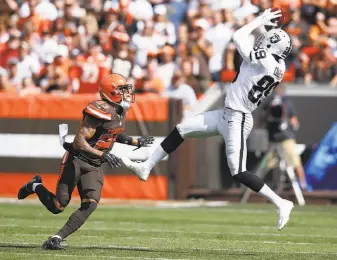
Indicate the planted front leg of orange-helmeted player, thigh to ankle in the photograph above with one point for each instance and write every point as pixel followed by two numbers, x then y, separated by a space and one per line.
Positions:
pixel 89 187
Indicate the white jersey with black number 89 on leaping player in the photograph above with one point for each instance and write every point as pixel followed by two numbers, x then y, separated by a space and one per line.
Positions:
pixel 254 81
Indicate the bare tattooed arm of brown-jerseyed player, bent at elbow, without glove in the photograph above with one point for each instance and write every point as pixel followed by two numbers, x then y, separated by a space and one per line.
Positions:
pixel 87 130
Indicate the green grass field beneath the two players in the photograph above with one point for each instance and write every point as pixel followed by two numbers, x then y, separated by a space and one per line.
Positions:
pixel 231 232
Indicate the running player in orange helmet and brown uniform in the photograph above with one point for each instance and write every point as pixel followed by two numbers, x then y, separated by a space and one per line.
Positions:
pixel 102 125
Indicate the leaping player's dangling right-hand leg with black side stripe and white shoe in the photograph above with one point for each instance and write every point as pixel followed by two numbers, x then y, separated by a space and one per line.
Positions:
pixel 235 134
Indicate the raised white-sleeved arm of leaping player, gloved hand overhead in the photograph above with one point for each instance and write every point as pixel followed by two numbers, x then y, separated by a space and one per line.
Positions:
pixel 240 36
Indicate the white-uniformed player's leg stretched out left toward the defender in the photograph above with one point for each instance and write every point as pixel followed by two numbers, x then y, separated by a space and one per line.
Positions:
pixel 201 125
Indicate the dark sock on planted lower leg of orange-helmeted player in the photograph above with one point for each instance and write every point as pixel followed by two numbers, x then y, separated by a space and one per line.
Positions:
pixel 77 219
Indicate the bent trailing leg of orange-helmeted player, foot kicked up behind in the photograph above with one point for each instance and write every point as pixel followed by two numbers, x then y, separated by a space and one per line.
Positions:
pixel 65 186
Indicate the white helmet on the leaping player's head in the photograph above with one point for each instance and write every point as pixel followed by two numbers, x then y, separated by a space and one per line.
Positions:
pixel 277 41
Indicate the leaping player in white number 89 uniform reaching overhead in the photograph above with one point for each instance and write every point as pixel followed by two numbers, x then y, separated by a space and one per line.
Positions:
pixel 261 71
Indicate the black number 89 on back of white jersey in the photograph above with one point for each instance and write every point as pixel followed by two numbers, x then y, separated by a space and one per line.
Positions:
pixel 262 89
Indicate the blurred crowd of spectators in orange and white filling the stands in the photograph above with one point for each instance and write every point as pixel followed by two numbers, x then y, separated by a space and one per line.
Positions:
pixel 169 47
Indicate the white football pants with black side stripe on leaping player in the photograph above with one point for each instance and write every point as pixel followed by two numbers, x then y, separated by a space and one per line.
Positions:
pixel 233 125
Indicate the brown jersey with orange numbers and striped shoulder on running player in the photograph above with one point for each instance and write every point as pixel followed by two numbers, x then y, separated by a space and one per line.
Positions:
pixel 105 135
